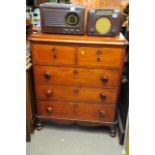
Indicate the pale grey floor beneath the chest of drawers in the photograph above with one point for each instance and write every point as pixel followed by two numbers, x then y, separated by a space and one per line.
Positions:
pixel 72 140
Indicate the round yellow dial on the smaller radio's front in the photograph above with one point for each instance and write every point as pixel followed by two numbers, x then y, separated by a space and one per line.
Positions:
pixel 103 25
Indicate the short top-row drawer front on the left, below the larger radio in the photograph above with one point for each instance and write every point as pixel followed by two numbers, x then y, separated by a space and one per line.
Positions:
pixel 53 55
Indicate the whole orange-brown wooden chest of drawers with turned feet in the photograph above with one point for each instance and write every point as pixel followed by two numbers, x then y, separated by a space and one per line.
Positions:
pixel 77 78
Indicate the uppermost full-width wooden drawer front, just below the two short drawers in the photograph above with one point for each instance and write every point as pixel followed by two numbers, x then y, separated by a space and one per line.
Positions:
pixel 76 76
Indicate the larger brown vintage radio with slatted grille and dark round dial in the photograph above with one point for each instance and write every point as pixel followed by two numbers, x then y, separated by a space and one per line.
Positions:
pixel 62 18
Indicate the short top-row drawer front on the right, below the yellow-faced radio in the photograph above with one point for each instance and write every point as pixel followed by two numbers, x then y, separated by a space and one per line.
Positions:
pixel 100 57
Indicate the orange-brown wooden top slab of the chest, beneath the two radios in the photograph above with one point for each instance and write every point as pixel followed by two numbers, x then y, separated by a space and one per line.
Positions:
pixel 78 39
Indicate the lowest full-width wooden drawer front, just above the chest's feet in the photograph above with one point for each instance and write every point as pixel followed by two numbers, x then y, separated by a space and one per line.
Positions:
pixel 77 111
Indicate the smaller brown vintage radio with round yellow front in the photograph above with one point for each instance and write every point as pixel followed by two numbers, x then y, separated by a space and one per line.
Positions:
pixel 103 22
